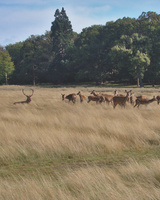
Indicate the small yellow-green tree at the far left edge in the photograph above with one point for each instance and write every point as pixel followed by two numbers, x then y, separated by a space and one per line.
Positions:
pixel 6 65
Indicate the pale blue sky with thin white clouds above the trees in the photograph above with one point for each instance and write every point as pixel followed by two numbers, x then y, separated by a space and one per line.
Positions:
pixel 19 19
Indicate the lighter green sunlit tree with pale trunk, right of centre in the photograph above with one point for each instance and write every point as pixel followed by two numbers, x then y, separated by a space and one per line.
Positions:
pixel 132 52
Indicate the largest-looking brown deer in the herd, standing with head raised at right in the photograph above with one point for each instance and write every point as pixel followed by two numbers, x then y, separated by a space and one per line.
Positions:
pixel 121 100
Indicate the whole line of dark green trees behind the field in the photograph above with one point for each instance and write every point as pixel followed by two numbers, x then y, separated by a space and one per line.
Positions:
pixel 125 51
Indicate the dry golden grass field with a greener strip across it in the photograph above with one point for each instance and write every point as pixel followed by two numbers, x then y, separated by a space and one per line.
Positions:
pixel 53 150
